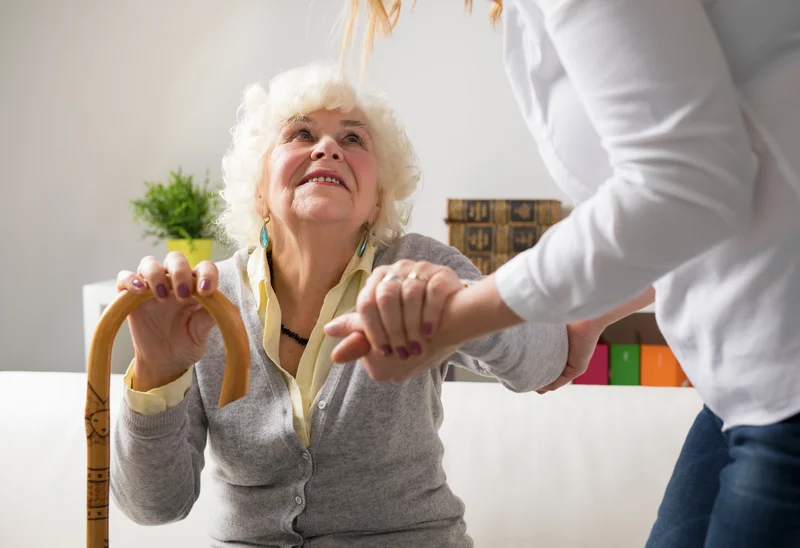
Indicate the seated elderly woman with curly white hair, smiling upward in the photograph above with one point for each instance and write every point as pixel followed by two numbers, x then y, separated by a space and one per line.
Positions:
pixel 318 453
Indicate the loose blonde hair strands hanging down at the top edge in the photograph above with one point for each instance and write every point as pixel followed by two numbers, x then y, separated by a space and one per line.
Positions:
pixel 382 15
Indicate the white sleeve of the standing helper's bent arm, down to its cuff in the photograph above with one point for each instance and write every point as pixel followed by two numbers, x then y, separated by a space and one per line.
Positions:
pixel 656 87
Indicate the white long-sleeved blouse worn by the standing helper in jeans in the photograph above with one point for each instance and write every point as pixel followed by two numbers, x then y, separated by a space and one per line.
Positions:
pixel 675 126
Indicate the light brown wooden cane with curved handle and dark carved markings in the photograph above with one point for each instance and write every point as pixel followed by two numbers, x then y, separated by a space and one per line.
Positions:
pixel 235 384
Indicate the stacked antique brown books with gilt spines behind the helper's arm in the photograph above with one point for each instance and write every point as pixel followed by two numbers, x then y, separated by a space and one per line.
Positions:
pixel 491 232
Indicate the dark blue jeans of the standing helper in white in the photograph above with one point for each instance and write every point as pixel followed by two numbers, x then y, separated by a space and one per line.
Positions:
pixel 738 489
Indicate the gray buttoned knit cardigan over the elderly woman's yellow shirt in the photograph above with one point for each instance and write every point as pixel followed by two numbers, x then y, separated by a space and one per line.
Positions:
pixel 372 475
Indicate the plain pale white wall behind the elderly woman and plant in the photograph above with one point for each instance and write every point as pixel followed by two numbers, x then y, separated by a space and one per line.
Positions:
pixel 99 96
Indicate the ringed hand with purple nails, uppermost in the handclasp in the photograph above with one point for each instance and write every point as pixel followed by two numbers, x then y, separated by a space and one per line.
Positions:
pixel 401 306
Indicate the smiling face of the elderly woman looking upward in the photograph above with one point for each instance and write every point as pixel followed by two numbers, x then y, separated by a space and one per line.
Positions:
pixel 322 169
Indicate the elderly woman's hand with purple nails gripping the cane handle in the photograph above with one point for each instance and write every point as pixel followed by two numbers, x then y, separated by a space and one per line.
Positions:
pixel 169 332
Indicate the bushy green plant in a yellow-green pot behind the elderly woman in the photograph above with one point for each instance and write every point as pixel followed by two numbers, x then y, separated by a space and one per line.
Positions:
pixel 180 212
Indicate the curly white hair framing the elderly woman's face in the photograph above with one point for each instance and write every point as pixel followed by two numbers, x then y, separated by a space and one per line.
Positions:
pixel 301 91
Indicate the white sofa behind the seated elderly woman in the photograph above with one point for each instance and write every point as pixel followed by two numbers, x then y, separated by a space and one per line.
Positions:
pixel 581 467
